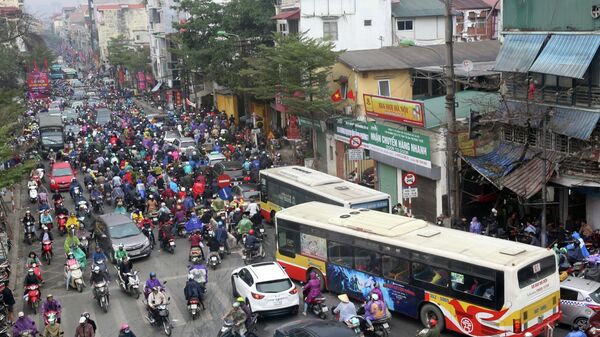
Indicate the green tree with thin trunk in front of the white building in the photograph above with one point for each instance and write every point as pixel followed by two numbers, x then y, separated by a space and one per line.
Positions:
pixel 297 69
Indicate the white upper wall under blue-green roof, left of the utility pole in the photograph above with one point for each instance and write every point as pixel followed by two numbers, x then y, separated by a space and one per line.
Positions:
pixel 426 30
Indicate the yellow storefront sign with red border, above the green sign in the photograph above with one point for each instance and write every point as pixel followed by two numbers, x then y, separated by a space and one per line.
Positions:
pixel 394 109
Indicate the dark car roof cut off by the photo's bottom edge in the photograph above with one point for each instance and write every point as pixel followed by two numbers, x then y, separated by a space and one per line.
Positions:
pixel 314 328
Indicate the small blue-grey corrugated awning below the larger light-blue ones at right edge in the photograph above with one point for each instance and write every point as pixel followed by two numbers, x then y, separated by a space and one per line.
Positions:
pixel 574 123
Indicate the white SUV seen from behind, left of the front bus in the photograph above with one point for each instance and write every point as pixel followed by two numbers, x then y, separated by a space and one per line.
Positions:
pixel 267 289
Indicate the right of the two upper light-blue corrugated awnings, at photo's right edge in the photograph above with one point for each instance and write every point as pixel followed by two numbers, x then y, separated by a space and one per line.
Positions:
pixel 567 55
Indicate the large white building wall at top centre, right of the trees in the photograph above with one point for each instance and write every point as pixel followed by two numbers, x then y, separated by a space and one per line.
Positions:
pixel 350 16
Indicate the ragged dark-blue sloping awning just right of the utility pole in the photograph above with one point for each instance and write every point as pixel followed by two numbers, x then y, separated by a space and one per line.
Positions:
pixel 498 163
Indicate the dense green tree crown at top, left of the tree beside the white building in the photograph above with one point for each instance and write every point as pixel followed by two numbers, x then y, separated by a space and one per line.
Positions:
pixel 247 24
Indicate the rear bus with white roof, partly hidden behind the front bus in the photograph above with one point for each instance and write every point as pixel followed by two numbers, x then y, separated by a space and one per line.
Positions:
pixel 286 186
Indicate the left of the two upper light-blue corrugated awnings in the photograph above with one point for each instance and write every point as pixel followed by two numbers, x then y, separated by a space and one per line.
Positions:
pixel 518 52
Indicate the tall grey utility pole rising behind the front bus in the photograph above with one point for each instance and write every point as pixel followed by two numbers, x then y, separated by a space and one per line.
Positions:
pixel 451 148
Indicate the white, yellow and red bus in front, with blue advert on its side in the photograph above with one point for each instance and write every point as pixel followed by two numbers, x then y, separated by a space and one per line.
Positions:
pixel 472 284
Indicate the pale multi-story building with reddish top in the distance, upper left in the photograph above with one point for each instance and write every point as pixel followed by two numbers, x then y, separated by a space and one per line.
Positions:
pixel 121 17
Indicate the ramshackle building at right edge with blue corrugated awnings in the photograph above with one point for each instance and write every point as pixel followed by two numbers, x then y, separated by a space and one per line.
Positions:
pixel 551 83
